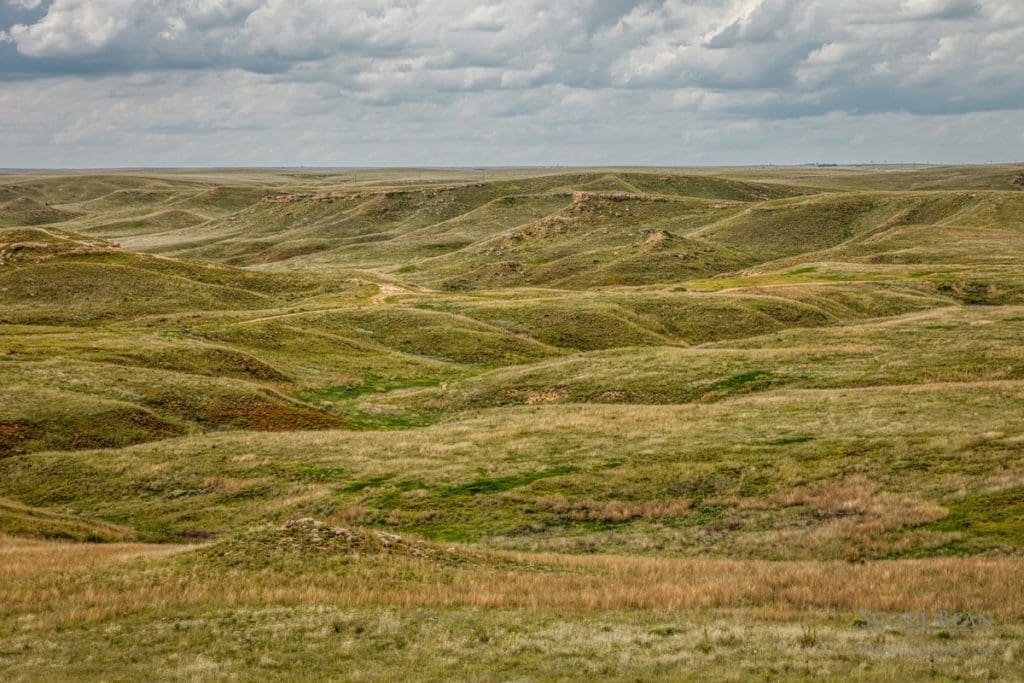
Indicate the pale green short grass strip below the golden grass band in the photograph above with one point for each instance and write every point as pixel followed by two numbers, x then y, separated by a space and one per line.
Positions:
pixel 310 643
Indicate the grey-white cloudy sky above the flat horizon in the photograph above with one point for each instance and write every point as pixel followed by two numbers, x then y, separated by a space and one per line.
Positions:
pixel 103 83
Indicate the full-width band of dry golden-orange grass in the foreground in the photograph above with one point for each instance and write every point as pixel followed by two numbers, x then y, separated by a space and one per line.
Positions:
pixel 72 583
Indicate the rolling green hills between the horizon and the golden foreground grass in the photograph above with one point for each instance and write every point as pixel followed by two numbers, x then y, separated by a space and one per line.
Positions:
pixel 662 362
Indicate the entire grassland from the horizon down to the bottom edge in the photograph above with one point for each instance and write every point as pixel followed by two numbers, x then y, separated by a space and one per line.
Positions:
pixel 624 423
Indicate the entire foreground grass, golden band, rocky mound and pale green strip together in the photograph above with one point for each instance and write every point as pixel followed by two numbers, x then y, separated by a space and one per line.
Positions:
pixel 91 612
